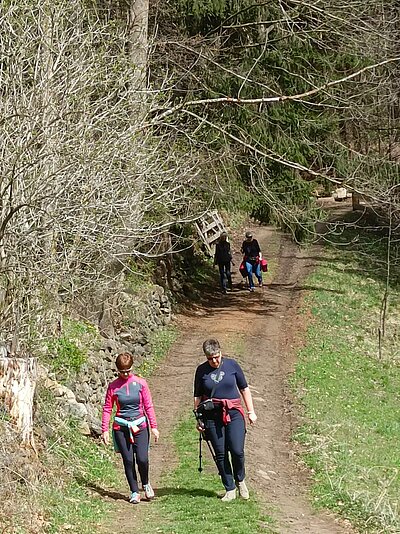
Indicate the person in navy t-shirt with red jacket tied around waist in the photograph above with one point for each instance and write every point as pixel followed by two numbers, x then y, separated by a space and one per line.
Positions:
pixel 224 424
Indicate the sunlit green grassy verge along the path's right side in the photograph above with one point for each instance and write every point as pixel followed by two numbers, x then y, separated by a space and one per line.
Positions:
pixel 349 388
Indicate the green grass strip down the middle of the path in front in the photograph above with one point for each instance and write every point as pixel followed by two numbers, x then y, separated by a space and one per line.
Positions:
pixel 187 500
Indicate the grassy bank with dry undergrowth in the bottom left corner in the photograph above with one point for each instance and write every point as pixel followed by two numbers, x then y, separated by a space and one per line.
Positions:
pixel 61 488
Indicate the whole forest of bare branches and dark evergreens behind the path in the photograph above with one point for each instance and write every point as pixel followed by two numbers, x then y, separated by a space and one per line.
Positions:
pixel 122 122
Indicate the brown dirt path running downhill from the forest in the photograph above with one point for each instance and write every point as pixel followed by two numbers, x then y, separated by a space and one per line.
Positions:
pixel 264 324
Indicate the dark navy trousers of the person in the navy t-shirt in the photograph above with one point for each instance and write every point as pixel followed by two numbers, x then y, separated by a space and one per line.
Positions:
pixel 228 440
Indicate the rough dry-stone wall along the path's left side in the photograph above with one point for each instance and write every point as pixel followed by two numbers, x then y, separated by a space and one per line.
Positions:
pixel 132 322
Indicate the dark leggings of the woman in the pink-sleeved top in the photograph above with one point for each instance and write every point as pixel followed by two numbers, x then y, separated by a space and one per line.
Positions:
pixel 130 452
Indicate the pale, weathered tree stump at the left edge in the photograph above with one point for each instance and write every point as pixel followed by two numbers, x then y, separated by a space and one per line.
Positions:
pixel 18 378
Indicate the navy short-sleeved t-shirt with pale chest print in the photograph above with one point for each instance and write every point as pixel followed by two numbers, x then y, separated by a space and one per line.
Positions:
pixel 230 380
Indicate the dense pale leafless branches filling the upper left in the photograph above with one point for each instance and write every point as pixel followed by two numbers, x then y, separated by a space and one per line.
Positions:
pixel 82 184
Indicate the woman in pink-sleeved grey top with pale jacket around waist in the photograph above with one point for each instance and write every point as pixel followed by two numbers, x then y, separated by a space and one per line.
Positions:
pixel 130 431
